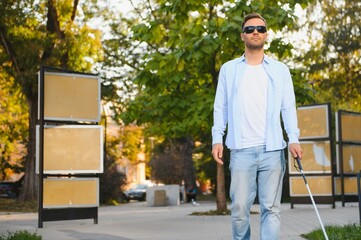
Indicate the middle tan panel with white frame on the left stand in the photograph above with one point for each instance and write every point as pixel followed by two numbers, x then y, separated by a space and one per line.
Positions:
pixel 71 149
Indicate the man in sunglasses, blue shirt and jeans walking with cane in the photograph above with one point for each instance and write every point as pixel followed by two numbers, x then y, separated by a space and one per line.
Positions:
pixel 252 92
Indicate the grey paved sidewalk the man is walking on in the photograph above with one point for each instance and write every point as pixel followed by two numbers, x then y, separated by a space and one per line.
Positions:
pixel 136 221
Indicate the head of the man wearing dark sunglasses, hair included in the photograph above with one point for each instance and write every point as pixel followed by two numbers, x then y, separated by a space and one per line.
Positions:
pixel 254 31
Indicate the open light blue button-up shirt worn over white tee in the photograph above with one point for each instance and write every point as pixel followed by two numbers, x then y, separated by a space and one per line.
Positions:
pixel 280 100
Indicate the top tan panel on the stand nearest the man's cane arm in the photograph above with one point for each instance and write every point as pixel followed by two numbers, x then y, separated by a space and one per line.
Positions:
pixel 313 121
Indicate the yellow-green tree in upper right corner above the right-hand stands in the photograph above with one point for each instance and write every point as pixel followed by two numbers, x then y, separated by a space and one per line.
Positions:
pixel 333 60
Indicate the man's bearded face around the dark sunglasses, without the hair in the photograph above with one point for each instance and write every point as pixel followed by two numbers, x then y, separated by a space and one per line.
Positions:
pixel 254 40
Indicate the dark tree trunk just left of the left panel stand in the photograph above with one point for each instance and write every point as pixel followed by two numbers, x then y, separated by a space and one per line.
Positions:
pixel 29 190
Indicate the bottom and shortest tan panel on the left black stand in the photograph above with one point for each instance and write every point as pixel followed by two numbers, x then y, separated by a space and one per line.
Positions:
pixel 71 192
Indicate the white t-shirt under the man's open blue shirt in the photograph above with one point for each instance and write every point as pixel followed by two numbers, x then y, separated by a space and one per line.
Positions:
pixel 253 106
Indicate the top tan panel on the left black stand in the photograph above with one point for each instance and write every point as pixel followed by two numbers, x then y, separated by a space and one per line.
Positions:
pixel 71 97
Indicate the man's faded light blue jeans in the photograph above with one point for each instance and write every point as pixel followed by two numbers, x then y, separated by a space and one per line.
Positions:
pixel 251 169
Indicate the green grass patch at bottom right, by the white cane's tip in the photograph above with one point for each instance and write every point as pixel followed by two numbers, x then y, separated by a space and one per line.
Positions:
pixel 349 232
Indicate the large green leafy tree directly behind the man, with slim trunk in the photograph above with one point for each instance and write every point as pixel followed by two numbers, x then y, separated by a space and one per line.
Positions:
pixel 183 44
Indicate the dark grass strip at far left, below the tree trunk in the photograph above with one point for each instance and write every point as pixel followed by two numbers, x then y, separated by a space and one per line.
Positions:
pixel 12 205
